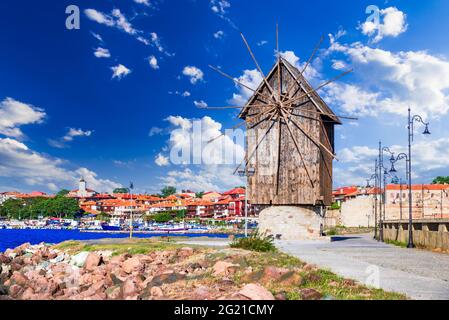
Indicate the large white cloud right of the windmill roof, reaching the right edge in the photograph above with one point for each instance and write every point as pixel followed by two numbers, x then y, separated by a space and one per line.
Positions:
pixel 393 81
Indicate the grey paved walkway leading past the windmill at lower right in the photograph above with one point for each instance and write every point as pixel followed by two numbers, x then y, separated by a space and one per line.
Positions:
pixel 418 274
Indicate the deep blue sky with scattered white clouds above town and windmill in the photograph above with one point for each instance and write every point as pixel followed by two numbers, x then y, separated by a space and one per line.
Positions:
pixel 63 115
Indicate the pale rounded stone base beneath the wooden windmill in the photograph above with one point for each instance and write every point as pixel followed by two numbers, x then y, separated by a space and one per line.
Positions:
pixel 291 223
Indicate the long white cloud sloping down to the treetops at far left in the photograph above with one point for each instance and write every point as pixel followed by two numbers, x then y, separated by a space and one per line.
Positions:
pixel 23 165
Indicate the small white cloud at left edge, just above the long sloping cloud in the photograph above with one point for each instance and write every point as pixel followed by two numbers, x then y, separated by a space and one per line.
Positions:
pixel 14 114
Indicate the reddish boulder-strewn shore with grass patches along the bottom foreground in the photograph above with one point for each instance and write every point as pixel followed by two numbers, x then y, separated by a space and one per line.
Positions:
pixel 79 272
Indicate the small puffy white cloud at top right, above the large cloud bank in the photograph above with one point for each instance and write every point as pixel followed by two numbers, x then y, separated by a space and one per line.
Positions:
pixel 394 23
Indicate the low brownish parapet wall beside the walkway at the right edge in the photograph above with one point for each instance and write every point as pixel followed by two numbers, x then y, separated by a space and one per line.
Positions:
pixel 431 234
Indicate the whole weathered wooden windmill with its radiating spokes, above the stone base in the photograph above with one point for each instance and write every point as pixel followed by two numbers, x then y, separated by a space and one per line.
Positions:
pixel 290 136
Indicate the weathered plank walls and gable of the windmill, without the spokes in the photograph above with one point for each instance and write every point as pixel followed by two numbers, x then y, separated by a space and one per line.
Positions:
pixel 294 186
